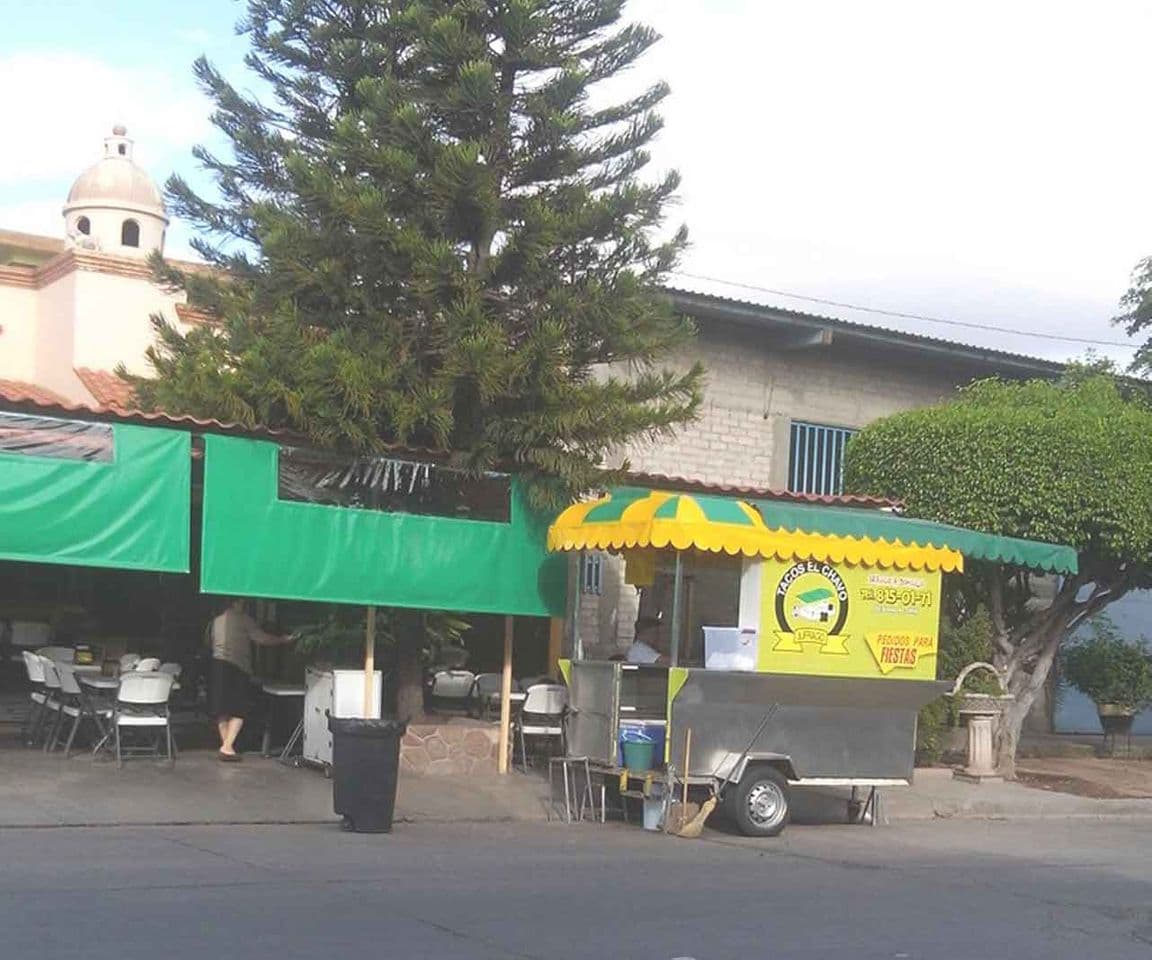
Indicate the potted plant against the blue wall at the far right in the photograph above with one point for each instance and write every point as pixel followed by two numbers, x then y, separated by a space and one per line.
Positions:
pixel 1116 674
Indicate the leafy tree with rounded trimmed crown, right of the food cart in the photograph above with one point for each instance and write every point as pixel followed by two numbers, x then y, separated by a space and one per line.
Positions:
pixel 1060 462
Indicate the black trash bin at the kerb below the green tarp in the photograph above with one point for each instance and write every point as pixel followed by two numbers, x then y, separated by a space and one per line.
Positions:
pixel 366 765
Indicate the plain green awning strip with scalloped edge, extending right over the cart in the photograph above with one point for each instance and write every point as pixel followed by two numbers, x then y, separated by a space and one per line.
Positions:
pixel 881 525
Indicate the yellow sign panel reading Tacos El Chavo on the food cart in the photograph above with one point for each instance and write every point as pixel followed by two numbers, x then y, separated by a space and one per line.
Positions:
pixel 831 621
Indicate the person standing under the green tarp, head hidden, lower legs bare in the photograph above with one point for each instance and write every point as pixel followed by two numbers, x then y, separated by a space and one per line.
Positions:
pixel 233 636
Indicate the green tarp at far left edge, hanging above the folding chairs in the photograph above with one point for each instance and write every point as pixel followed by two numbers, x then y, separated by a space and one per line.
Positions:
pixel 131 512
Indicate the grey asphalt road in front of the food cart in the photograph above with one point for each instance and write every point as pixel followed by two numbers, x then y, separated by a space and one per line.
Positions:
pixel 931 890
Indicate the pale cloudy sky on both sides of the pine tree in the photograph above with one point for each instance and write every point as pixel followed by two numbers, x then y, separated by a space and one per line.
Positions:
pixel 981 163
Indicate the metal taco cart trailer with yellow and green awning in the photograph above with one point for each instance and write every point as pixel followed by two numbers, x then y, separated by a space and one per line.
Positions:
pixel 816 679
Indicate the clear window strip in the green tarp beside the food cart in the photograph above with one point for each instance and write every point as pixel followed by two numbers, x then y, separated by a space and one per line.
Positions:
pixel 381 483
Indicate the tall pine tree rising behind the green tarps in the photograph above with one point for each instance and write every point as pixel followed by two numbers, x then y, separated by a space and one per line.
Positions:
pixel 431 233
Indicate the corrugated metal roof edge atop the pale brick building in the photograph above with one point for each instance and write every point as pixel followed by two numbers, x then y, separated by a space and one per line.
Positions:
pixel 694 301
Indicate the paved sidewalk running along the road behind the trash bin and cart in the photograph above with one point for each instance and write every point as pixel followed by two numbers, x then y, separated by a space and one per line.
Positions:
pixel 50 791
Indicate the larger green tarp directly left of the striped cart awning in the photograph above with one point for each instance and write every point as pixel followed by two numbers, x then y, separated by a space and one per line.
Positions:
pixel 259 546
